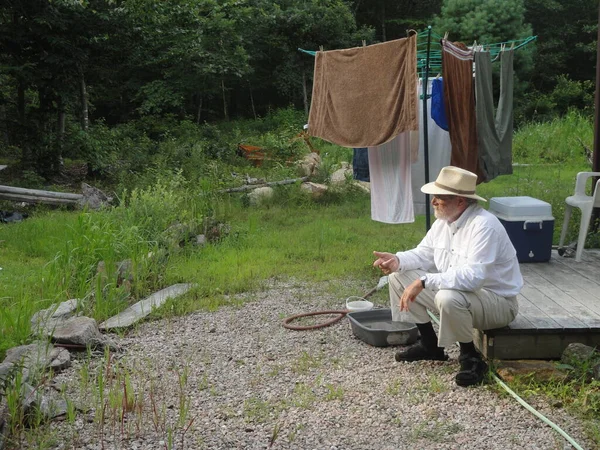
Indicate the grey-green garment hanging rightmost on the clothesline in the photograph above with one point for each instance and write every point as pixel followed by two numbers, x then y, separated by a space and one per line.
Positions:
pixel 494 135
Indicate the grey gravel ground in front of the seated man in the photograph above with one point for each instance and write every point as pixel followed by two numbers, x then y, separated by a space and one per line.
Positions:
pixel 236 379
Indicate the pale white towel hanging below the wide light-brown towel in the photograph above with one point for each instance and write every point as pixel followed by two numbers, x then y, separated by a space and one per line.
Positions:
pixel 389 167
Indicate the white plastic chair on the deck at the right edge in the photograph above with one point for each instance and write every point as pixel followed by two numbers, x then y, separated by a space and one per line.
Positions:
pixel 584 202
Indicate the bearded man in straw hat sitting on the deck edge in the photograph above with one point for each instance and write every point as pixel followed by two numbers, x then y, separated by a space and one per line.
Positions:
pixel 471 277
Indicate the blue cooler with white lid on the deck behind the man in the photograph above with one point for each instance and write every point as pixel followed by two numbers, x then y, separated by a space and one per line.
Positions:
pixel 529 224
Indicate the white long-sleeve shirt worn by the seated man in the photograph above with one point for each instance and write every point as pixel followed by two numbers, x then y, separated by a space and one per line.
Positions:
pixel 470 253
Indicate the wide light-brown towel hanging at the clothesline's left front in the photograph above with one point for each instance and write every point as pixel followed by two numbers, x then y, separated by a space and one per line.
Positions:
pixel 365 96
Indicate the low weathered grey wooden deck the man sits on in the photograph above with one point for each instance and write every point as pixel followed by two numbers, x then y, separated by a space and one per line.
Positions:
pixel 559 305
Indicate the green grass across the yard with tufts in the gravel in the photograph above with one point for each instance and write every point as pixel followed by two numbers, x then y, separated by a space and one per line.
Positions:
pixel 54 255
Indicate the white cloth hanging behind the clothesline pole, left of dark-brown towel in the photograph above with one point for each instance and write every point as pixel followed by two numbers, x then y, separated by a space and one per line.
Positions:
pixel 439 150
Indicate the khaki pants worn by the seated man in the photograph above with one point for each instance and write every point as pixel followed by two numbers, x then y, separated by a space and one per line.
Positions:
pixel 459 311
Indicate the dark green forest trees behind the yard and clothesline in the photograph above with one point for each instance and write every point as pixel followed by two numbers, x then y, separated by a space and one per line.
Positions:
pixel 105 81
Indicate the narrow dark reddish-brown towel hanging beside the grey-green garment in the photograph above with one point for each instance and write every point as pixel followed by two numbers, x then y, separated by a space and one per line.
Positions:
pixel 459 96
